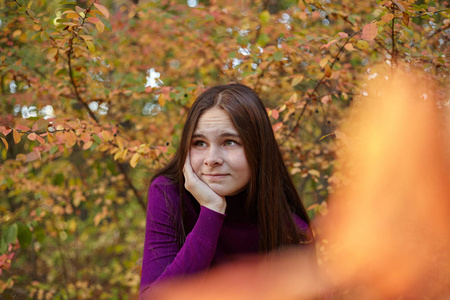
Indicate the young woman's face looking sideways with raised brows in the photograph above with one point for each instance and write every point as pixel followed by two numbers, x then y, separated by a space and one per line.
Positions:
pixel 217 154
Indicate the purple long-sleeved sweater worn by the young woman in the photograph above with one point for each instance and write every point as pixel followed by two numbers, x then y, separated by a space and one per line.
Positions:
pixel 212 238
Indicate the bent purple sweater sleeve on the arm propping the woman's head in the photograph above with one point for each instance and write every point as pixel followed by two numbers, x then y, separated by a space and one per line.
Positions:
pixel 163 257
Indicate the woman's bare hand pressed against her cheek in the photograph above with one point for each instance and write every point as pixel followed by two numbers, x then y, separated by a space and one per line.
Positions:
pixel 201 191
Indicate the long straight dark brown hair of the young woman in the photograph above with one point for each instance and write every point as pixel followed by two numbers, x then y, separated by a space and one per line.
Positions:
pixel 270 189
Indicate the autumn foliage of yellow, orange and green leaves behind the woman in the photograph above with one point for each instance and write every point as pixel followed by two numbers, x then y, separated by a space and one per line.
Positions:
pixel 93 98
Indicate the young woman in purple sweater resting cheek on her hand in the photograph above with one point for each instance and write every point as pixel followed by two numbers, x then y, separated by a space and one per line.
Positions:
pixel 225 193
